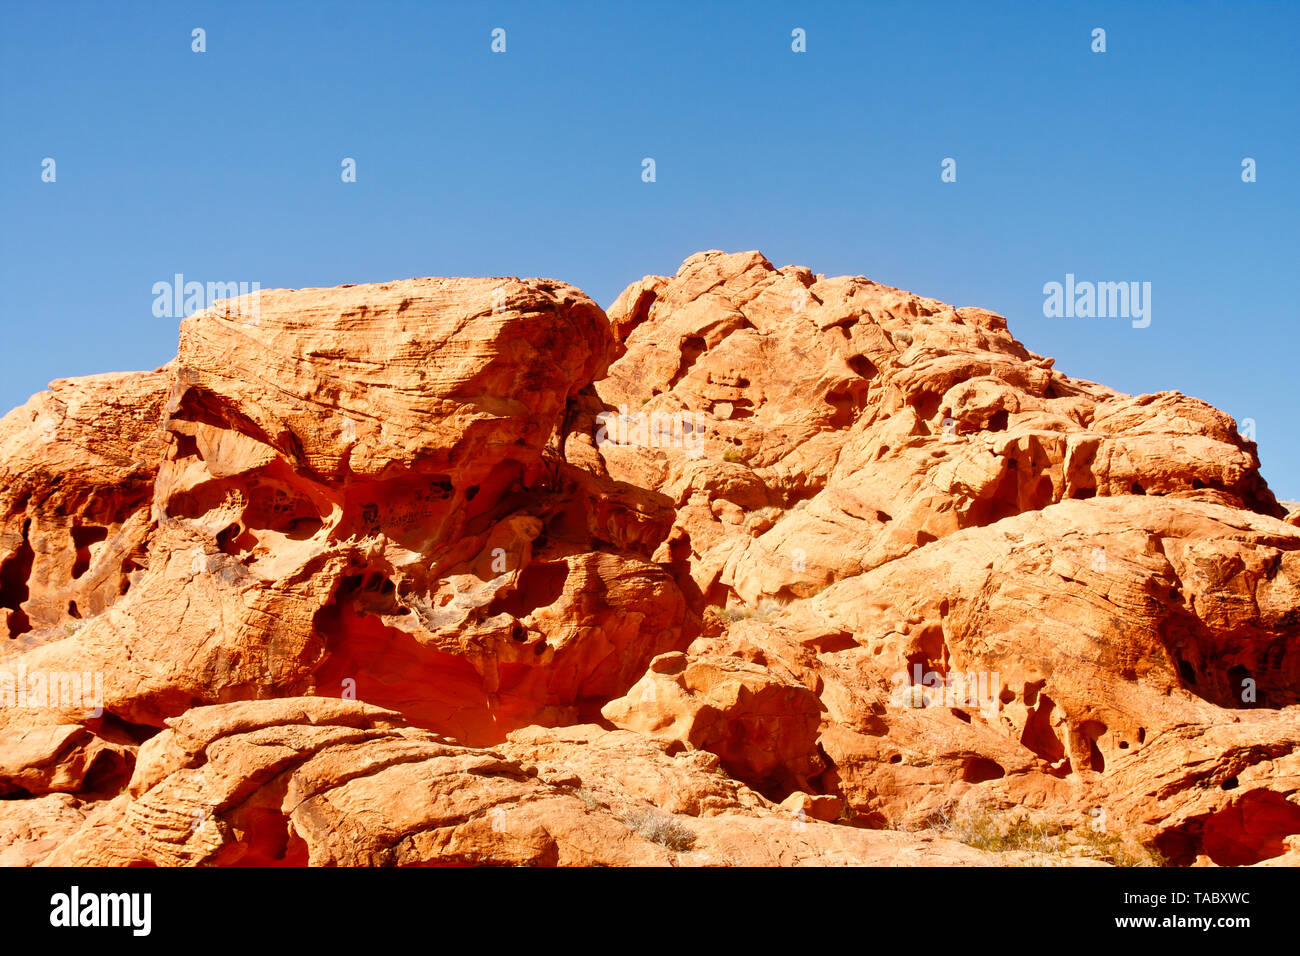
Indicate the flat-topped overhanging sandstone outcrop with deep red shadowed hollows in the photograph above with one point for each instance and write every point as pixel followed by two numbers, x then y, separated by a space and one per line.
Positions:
pixel 353 500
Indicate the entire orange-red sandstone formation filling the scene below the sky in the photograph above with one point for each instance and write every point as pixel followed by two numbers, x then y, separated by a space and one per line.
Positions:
pixel 825 555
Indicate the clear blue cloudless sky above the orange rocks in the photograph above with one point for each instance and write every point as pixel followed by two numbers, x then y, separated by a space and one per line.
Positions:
pixel 226 166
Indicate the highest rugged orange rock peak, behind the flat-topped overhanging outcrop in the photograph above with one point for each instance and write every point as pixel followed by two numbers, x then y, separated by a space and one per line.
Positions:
pixel 851 423
